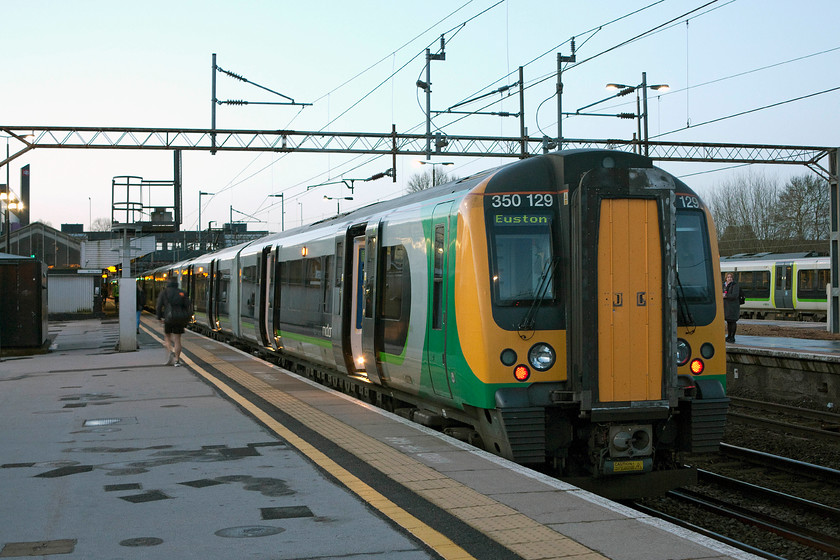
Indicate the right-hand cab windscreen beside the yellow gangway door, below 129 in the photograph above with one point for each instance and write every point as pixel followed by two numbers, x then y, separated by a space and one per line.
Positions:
pixel 694 269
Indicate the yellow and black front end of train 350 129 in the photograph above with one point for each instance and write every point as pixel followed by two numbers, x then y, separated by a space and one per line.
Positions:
pixel 590 326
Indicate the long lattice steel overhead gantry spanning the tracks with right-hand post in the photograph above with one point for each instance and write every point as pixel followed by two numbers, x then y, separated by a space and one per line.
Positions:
pixel 825 161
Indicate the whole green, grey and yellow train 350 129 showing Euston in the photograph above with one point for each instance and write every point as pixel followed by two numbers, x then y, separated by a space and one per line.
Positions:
pixel 562 311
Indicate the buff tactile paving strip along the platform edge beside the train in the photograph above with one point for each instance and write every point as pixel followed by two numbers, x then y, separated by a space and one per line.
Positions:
pixel 505 525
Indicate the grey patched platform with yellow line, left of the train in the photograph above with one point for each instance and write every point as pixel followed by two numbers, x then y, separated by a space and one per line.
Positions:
pixel 113 455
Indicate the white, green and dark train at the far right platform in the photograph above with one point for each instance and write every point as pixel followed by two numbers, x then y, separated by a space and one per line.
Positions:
pixel 782 286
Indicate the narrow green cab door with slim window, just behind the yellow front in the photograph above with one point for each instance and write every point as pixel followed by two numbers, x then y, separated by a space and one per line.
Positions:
pixel 436 323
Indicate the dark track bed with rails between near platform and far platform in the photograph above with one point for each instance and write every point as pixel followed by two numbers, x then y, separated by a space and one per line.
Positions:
pixel 758 500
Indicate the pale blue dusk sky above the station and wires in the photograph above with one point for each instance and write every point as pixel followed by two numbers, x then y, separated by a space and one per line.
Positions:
pixel 148 64
